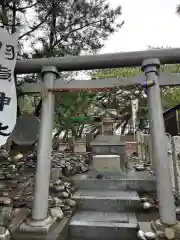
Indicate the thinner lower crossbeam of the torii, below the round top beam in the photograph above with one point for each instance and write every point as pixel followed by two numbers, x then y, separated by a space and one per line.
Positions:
pixel 98 84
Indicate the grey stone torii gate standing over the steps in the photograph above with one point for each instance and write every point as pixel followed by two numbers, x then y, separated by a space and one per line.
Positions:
pixel 152 79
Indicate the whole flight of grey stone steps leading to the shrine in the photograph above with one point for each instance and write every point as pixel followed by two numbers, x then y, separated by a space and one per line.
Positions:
pixel 108 208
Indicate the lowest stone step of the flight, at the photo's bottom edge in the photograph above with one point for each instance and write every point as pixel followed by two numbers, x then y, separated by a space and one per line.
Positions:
pixel 103 225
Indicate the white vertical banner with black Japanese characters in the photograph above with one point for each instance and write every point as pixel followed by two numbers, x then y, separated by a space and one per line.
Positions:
pixel 8 97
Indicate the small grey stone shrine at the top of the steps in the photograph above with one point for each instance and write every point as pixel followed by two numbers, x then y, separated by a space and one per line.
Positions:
pixel 108 151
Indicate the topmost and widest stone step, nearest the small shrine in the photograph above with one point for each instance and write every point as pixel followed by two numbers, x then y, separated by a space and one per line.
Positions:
pixel 140 185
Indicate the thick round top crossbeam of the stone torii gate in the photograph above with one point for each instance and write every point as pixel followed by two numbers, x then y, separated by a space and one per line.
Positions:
pixel 75 63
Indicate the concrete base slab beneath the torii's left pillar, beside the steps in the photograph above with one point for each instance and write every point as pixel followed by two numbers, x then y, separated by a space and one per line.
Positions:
pixel 47 229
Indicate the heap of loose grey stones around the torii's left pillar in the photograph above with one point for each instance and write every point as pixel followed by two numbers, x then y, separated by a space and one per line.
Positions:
pixel 17 184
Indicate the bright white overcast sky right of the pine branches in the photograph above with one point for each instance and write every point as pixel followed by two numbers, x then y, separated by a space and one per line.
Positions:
pixel 147 22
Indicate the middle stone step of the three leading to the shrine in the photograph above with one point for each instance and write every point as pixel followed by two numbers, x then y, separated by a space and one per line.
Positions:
pixel 107 201
